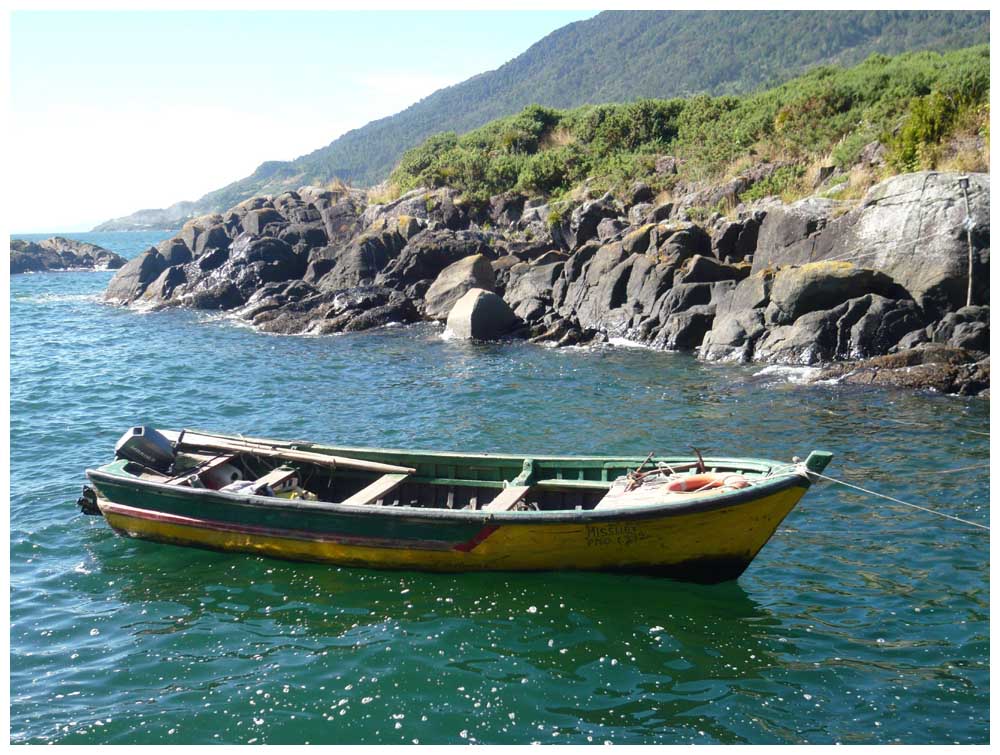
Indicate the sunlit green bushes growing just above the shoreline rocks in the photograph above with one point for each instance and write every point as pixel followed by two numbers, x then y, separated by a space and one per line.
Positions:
pixel 912 103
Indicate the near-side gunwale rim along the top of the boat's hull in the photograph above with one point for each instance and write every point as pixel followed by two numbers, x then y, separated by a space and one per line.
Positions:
pixel 708 502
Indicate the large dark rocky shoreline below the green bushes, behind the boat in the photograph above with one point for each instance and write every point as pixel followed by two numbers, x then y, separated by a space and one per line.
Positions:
pixel 815 282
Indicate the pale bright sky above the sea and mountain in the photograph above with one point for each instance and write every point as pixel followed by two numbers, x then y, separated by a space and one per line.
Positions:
pixel 111 112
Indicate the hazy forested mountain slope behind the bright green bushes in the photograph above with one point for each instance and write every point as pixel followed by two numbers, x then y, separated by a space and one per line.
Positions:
pixel 617 56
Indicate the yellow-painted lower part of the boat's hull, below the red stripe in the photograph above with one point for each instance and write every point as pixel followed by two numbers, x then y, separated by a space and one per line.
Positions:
pixel 736 532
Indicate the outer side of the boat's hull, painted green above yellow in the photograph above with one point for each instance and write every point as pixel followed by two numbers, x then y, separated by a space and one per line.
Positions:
pixel 702 543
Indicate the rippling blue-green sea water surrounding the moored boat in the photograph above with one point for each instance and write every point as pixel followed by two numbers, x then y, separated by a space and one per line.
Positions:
pixel 859 622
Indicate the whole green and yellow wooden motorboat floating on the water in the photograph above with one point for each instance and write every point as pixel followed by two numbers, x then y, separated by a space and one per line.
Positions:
pixel 686 518
